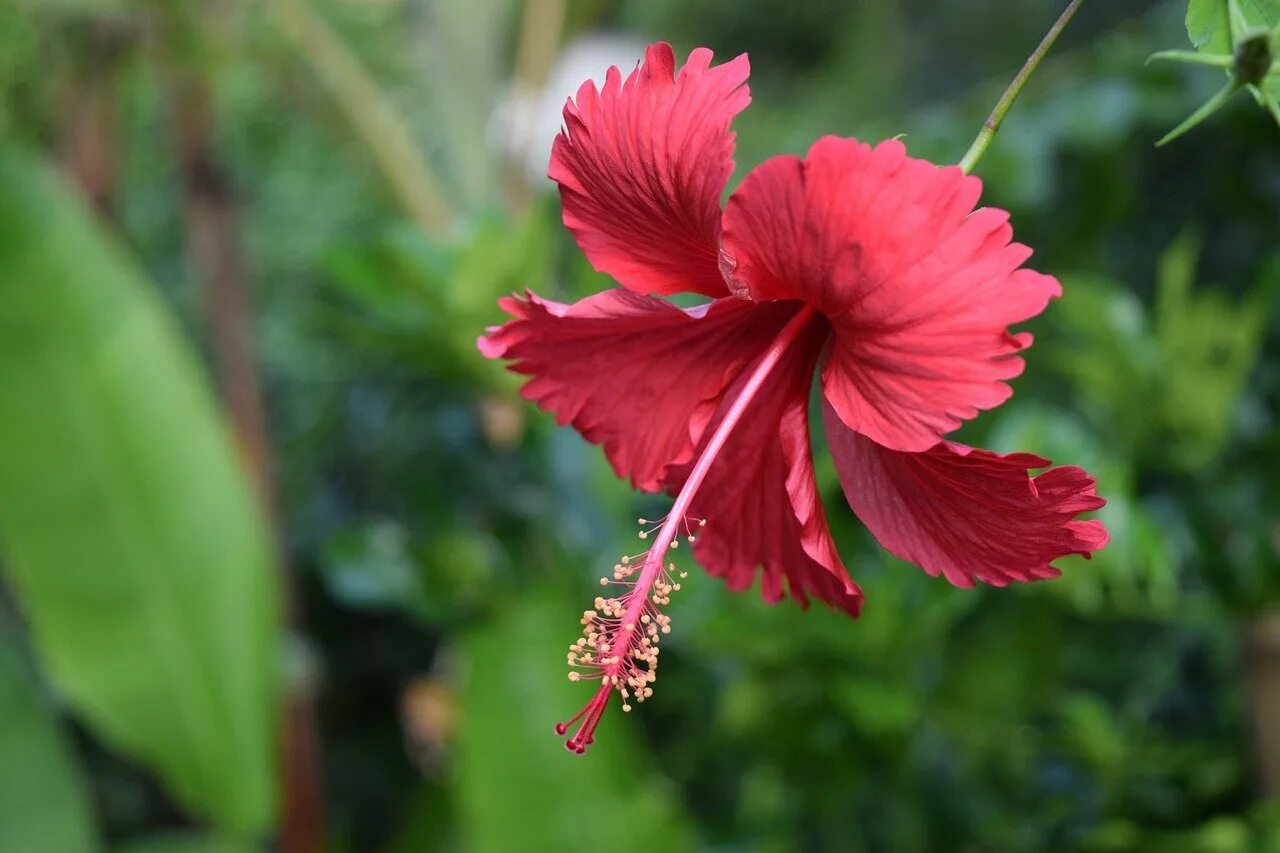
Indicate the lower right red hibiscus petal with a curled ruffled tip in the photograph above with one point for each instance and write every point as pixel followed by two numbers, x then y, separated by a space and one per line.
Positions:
pixel 967 514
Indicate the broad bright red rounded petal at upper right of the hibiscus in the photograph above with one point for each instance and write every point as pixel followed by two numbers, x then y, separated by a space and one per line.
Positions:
pixel 918 286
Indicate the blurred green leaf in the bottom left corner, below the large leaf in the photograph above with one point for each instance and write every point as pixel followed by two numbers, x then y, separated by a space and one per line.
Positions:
pixel 44 806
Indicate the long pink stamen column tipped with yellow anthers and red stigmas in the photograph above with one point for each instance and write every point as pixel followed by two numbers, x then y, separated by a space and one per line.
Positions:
pixel 627 631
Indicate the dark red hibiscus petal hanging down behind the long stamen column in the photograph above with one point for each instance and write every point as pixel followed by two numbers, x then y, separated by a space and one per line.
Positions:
pixel 761 499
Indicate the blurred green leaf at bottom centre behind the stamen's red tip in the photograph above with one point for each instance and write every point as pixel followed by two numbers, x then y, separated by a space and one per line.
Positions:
pixel 519 788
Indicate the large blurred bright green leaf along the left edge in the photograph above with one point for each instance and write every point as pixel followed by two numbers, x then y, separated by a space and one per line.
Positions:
pixel 129 528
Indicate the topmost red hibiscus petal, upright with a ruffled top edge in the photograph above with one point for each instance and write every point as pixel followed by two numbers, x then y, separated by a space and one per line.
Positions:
pixel 642 167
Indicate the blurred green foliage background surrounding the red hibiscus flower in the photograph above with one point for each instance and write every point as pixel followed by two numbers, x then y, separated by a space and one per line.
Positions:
pixel 287 564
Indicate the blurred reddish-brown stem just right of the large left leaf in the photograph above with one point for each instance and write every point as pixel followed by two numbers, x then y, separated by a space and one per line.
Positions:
pixel 212 221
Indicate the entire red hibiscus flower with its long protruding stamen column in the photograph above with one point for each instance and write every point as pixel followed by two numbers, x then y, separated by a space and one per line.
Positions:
pixel 860 262
